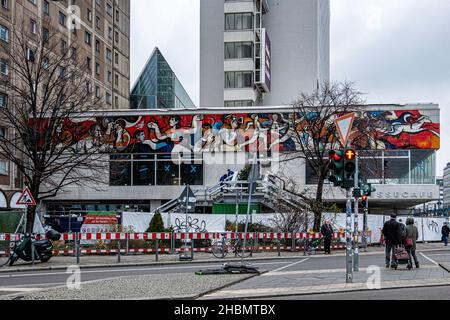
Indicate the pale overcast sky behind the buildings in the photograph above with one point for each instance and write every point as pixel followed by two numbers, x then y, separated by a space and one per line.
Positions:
pixel 397 51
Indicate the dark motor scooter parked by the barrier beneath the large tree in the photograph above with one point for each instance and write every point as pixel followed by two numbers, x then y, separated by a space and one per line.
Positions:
pixel 43 249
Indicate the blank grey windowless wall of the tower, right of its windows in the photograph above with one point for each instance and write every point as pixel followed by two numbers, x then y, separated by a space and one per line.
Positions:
pixel 292 26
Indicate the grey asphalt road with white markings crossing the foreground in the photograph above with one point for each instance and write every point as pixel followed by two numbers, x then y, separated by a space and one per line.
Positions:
pixel 16 282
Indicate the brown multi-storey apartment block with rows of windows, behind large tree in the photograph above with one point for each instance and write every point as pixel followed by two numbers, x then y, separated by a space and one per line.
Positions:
pixel 100 32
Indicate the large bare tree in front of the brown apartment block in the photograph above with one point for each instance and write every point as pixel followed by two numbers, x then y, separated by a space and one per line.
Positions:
pixel 47 85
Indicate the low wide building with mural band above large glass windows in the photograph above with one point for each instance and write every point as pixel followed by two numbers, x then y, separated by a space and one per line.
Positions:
pixel 168 150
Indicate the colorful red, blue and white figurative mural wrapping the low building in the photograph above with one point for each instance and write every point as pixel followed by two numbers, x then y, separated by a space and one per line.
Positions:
pixel 240 132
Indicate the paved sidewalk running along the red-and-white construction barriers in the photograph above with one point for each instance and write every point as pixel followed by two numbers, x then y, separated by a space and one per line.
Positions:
pixel 98 261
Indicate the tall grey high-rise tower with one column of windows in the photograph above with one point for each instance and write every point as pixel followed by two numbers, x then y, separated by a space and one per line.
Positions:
pixel 262 52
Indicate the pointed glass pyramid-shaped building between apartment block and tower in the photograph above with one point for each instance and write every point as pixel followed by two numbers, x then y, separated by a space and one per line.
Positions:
pixel 157 87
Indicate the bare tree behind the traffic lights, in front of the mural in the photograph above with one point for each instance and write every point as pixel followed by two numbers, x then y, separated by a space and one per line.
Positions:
pixel 315 135
